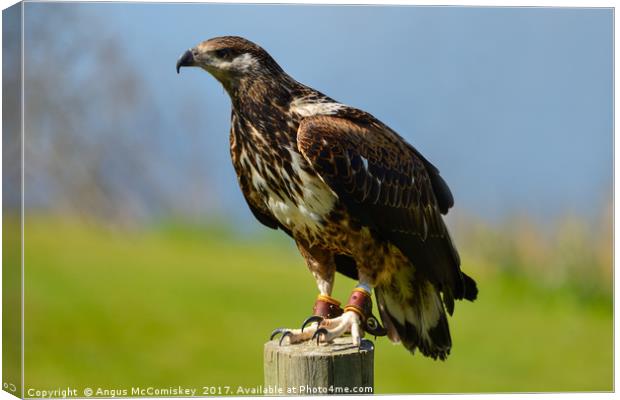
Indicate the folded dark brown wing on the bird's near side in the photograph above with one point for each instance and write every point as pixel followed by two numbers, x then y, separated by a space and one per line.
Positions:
pixel 387 185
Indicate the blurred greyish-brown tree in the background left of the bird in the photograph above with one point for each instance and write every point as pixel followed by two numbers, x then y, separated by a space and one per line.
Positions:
pixel 92 128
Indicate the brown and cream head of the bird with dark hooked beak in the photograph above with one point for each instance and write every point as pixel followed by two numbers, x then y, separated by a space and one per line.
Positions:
pixel 230 59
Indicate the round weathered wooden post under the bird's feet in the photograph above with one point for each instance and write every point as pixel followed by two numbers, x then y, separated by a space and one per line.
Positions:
pixel 306 369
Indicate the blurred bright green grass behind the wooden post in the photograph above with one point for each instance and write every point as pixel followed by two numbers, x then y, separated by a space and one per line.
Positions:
pixel 187 307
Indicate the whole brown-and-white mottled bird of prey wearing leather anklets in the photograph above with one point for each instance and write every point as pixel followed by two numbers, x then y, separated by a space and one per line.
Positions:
pixel 354 195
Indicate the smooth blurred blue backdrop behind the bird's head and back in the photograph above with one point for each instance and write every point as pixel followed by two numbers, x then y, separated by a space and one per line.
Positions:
pixel 513 105
